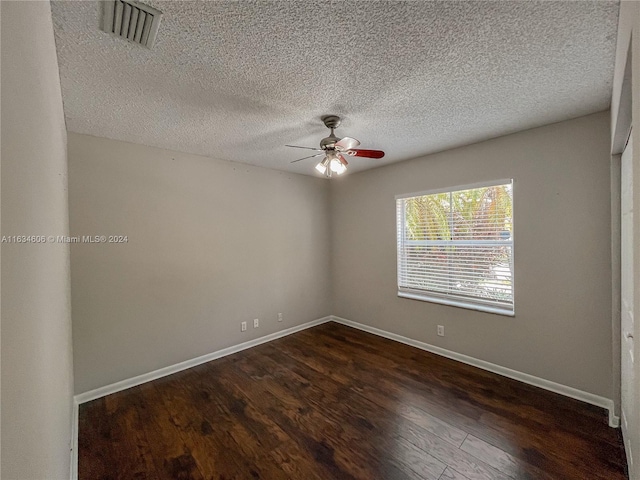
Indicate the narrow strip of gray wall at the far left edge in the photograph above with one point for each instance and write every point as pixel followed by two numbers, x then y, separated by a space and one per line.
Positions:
pixel 37 382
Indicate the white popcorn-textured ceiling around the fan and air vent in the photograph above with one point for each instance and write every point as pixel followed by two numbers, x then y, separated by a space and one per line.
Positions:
pixel 237 80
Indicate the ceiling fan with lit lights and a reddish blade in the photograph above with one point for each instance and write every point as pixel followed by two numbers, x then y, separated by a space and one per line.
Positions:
pixel 335 149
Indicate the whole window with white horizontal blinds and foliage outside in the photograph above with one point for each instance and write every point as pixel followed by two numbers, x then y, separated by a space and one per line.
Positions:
pixel 456 247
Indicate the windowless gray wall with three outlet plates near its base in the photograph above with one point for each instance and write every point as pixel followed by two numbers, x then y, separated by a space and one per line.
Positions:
pixel 210 244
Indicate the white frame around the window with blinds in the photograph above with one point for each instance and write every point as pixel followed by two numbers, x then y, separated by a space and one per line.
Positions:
pixel 445 298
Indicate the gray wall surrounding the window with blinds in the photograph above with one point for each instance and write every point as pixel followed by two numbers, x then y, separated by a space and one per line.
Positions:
pixel 562 327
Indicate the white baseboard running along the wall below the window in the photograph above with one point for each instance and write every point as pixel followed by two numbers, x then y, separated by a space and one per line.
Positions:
pixel 587 397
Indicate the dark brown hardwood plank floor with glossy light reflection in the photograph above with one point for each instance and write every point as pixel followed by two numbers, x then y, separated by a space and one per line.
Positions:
pixel 332 402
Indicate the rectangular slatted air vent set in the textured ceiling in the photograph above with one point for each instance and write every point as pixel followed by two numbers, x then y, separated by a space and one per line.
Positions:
pixel 132 21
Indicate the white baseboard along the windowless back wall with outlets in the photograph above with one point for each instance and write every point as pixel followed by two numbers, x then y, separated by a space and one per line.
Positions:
pixel 178 367
